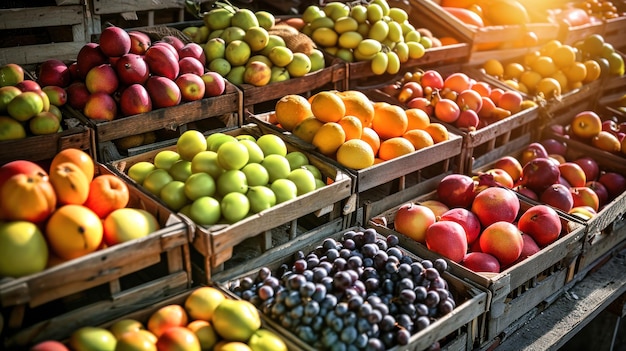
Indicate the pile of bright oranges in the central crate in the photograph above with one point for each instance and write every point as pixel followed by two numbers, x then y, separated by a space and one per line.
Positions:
pixel 357 132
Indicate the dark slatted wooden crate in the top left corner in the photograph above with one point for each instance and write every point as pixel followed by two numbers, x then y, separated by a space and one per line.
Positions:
pixel 34 34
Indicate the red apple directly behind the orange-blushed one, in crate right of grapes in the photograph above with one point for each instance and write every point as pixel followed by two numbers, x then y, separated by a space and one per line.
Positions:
pixel 496 204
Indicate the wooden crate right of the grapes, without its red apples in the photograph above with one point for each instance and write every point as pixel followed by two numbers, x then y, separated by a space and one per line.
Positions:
pixel 519 288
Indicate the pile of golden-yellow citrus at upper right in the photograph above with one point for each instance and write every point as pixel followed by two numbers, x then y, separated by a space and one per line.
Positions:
pixel 556 68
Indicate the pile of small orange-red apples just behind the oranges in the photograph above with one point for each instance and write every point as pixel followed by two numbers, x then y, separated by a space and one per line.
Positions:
pixel 457 99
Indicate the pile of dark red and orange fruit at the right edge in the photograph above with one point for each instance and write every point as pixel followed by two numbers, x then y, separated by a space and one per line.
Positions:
pixel 542 172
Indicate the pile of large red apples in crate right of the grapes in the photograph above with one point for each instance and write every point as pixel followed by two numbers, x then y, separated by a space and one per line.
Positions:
pixel 479 224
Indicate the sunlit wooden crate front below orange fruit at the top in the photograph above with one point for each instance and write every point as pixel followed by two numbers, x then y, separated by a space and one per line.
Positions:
pixel 482 38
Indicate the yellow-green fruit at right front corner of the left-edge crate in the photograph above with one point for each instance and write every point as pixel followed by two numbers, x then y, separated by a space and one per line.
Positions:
pixel 125 224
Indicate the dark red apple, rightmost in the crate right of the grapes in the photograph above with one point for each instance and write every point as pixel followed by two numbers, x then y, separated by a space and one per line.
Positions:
pixel 542 223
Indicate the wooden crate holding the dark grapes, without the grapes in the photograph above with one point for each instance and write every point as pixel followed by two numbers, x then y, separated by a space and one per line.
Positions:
pixel 455 331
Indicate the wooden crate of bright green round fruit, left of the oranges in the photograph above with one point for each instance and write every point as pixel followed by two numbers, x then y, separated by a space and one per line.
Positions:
pixel 231 238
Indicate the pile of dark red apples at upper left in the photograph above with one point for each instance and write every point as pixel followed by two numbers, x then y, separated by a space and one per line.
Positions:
pixel 125 74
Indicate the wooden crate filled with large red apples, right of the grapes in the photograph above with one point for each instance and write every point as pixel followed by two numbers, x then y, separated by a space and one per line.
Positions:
pixel 517 284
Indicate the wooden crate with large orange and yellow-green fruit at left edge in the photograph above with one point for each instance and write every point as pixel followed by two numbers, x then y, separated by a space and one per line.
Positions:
pixel 114 272
